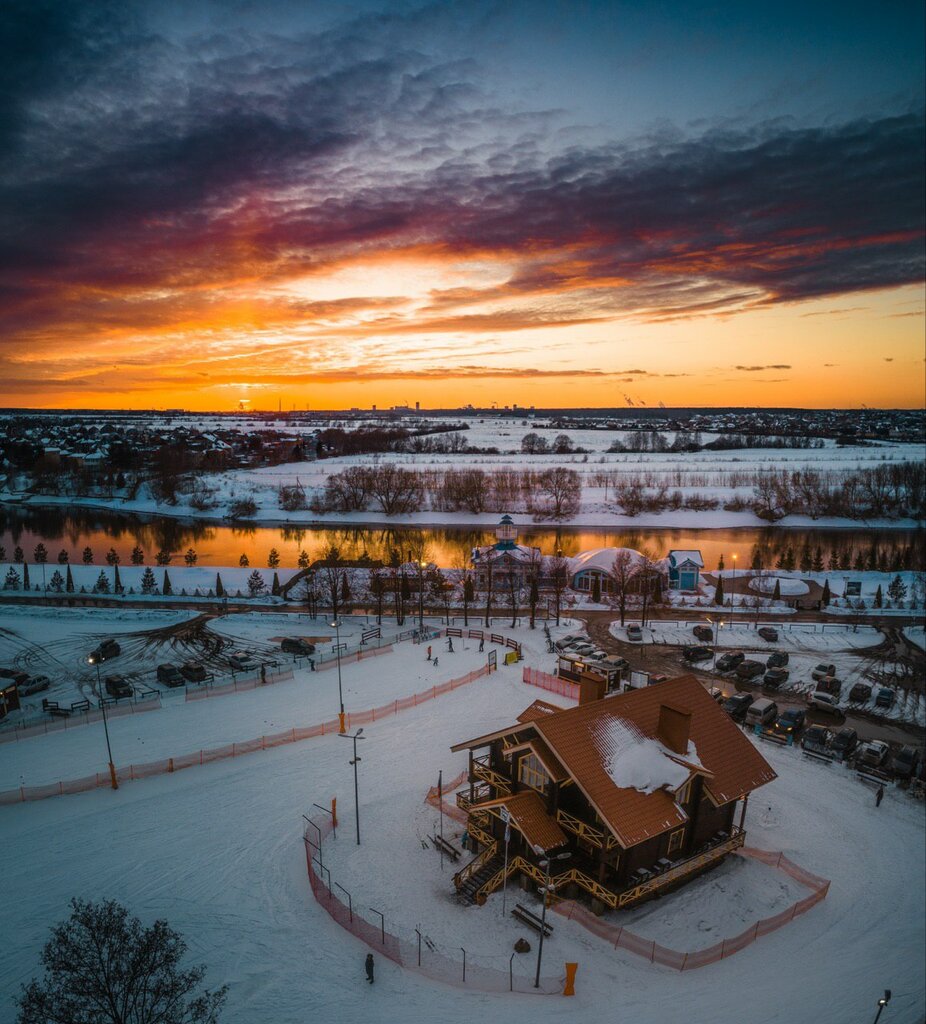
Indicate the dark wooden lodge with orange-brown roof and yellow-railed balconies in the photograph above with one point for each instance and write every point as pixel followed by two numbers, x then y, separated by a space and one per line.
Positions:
pixel 639 793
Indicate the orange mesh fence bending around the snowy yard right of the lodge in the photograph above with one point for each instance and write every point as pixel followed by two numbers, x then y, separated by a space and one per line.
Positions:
pixel 622 938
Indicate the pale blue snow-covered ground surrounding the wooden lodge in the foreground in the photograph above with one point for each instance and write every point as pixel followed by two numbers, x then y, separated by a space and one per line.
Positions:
pixel 218 851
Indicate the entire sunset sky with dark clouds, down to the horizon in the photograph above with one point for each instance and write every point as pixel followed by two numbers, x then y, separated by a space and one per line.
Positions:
pixel 333 204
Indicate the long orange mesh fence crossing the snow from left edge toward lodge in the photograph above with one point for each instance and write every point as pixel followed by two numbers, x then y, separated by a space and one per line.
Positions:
pixel 293 736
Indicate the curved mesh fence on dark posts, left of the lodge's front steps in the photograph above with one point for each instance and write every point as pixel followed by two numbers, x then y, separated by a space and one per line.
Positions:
pixel 416 952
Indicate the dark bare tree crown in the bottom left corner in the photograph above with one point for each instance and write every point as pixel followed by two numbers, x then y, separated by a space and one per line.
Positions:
pixel 103 967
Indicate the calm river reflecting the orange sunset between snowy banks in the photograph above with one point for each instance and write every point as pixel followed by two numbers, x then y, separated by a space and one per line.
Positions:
pixel 72 531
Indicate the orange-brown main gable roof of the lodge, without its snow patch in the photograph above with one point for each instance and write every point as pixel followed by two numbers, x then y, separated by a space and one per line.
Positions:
pixel 735 765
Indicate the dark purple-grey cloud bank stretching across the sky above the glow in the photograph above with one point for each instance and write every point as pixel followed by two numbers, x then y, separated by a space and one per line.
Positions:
pixel 139 168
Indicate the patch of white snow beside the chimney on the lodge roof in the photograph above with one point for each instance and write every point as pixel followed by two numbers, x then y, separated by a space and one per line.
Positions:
pixel 638 762
